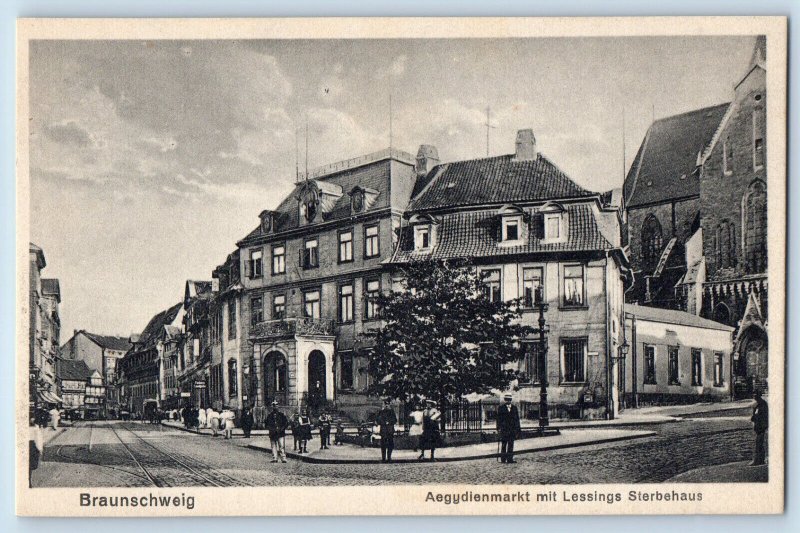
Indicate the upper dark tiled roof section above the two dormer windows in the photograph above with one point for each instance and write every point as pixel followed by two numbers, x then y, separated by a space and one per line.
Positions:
pixel 493 180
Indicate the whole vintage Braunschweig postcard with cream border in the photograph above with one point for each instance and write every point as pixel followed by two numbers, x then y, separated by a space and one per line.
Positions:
pixel 424 266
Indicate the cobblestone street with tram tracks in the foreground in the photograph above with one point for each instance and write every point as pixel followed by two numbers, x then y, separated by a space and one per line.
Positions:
pixel 138 454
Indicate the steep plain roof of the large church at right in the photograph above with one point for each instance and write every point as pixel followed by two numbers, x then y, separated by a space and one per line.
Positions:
pixel 665 166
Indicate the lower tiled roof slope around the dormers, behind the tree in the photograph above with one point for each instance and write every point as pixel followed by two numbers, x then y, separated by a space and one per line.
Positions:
pixel 474 234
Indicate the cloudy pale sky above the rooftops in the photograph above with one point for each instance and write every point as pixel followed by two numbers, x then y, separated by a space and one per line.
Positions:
pixel 150 159
